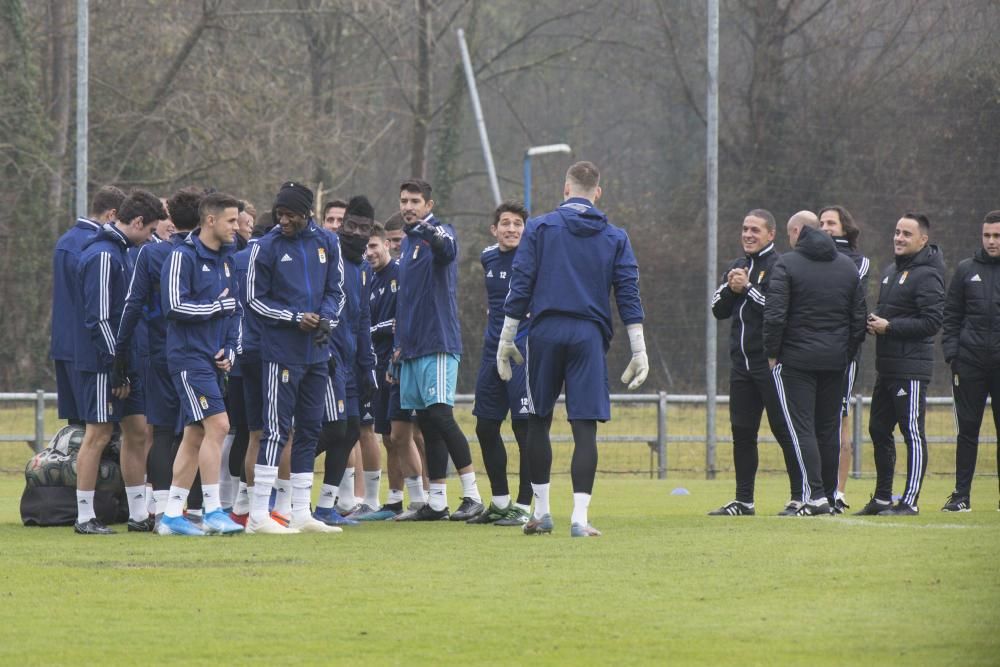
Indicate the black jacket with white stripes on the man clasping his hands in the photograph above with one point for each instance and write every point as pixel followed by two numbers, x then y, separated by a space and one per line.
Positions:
pixel 746 348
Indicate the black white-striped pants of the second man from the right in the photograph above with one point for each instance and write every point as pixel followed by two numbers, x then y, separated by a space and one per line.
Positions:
pixel 902 402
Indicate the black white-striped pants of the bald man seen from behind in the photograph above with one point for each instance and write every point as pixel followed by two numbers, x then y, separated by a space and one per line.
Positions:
pixel 811 403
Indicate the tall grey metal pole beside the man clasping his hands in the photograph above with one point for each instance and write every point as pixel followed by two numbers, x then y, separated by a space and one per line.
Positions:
pixel 711 254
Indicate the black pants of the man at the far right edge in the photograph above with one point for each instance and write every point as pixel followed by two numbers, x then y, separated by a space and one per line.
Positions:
pixel 970 385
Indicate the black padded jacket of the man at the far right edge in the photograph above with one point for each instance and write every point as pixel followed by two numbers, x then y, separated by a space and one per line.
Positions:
pixel 971 330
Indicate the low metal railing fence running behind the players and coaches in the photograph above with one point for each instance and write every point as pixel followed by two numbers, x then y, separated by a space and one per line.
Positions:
pixel 649 433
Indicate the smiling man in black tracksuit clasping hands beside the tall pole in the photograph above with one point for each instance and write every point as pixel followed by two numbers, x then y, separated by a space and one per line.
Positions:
pixel 742 296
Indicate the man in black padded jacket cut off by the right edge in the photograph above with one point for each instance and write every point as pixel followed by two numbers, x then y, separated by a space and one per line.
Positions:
pixel 971 342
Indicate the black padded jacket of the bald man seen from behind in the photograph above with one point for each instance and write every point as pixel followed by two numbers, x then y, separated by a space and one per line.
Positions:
pixel 815 313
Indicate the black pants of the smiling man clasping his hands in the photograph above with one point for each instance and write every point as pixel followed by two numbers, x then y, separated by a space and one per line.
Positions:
pixel 751 392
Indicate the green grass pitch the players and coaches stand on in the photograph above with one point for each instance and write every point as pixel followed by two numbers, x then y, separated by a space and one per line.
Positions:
pixel 664 585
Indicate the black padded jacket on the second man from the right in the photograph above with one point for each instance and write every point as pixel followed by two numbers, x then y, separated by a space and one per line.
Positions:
pixel 911 298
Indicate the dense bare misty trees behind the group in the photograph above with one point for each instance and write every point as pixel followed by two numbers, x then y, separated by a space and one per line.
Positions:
pixel 881 106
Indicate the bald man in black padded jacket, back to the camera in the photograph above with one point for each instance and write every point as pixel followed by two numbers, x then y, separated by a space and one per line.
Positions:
pixel 814 322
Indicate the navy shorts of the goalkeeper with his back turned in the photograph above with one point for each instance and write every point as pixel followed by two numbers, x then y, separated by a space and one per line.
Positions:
pixel 567 350
